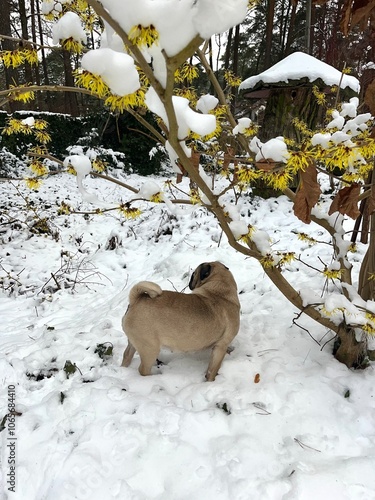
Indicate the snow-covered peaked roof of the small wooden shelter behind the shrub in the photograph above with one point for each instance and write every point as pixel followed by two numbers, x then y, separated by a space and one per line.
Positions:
pixel 300 65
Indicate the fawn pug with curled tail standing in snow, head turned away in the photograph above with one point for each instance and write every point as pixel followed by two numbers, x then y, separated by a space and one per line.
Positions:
pixel 209 317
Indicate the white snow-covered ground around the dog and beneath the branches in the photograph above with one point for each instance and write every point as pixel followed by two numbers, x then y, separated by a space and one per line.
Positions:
pixel 283 419
